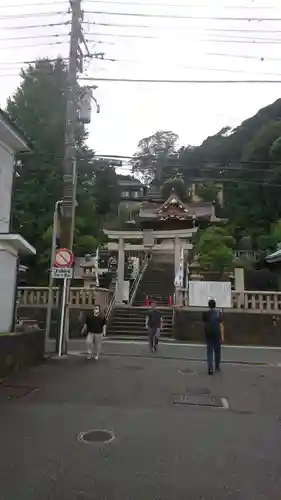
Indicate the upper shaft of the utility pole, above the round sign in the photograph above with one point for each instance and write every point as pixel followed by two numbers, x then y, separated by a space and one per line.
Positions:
pixel 69 163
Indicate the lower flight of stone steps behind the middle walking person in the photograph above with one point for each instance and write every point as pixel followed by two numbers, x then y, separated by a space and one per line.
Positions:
pixel 130 321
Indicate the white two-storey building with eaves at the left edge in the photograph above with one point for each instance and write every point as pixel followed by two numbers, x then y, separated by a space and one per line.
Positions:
pixel 12 141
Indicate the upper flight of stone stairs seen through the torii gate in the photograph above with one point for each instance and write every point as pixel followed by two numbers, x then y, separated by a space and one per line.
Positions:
pixel 157 284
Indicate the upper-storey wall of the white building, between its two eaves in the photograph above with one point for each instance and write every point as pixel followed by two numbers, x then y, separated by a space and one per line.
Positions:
pixel 6 185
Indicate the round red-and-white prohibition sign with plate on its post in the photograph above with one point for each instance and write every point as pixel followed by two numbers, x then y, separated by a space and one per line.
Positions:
pixel 63 269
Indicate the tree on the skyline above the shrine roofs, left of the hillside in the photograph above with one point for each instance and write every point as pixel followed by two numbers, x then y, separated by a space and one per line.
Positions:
pixel 153 156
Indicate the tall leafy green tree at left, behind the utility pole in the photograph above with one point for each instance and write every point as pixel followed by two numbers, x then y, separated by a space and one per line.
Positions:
pixel 38 108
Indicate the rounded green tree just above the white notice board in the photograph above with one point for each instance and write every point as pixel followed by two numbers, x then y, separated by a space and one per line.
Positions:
pixel 215 249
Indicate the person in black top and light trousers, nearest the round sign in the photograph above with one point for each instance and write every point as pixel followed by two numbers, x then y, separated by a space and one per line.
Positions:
pixel 95 326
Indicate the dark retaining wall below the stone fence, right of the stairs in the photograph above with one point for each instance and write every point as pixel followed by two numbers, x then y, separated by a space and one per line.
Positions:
pixel 241 328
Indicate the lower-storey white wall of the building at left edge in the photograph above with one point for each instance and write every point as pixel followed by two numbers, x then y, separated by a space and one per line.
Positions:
pixel 8 264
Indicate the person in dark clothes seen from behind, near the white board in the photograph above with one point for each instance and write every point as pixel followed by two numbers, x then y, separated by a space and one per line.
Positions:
pixel 213 335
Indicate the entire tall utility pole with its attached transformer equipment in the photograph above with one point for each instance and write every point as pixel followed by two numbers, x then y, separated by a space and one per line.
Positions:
pixel 73 108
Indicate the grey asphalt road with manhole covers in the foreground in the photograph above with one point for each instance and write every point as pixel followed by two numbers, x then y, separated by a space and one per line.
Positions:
pixel 162 450
